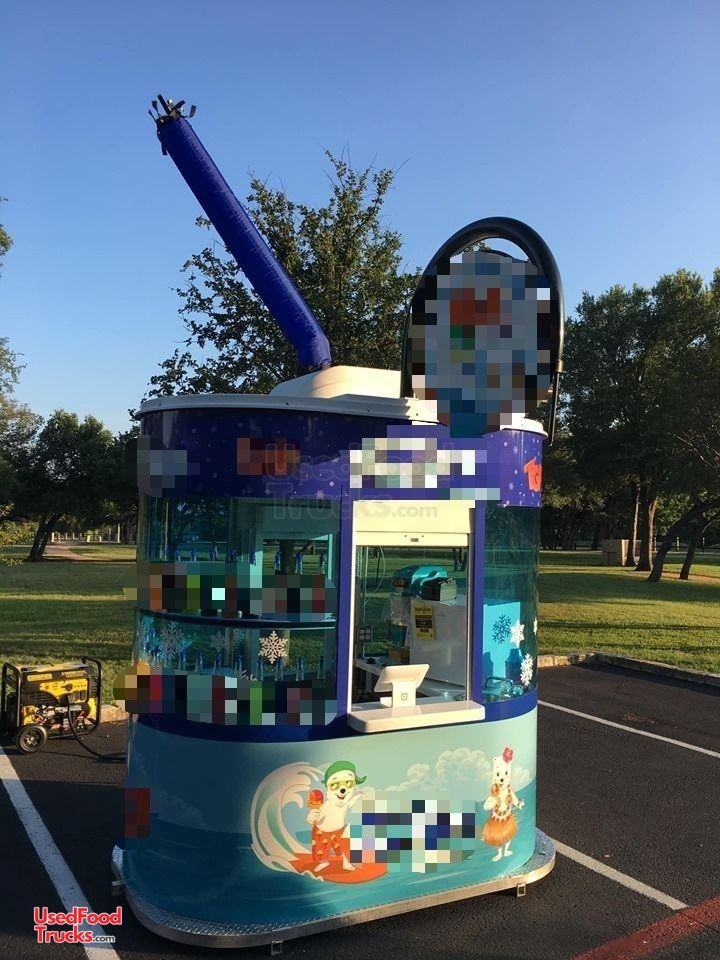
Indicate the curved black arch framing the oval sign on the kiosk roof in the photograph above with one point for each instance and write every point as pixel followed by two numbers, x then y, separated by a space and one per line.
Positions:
pixel 537 252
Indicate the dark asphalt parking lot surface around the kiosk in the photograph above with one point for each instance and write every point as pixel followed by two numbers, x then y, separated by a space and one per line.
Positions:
pixel 631 802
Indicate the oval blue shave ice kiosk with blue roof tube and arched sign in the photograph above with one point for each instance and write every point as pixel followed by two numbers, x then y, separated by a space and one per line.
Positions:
pixel 333 693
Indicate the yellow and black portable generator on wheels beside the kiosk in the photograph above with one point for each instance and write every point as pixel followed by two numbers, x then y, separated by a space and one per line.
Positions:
pixel 41 702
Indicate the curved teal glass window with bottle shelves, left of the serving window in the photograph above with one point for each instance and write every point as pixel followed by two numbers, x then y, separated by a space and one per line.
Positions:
pixel 211 566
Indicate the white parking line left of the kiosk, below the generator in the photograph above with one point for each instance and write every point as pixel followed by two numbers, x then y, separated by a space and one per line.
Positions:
pixel 57 869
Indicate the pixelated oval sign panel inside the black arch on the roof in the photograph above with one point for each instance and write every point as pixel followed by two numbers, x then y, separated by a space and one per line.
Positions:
pixel 480 341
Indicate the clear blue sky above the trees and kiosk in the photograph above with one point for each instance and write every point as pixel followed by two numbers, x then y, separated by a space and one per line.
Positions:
pixel 595 122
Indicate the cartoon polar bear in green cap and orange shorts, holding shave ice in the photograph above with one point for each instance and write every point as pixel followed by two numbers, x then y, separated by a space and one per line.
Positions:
pixel 328 819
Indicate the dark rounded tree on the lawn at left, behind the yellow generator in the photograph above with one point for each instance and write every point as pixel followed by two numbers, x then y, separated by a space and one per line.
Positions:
pixel 69 469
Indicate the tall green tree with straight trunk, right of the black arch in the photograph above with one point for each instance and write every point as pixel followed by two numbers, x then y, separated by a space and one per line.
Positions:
pixel 621 352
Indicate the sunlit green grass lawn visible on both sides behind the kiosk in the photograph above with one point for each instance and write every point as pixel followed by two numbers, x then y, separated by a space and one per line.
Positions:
pixel 55 610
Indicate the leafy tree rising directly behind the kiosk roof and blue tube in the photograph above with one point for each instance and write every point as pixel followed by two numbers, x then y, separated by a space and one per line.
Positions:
pixel 344 261
